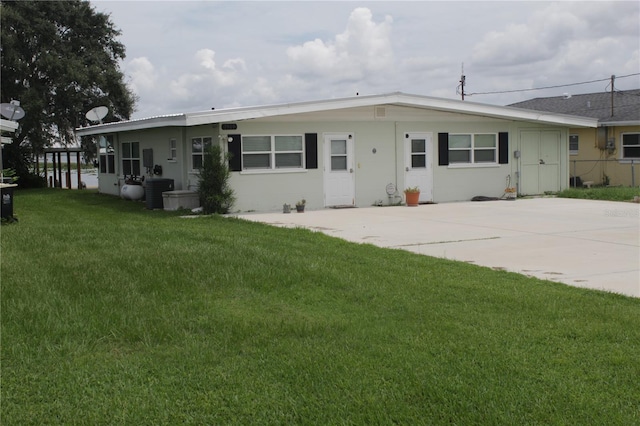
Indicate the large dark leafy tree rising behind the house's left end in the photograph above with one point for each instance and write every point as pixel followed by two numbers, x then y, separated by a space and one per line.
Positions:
pixel 59 59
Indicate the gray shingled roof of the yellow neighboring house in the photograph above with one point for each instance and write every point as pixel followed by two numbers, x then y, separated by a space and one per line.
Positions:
pixel 626 106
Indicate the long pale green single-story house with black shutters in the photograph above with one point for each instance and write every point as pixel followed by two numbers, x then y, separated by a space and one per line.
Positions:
pixel 348 152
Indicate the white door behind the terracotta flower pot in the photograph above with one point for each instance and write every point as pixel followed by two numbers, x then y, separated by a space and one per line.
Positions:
pixel 418 161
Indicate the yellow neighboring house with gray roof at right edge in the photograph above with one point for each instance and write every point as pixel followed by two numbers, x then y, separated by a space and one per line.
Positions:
pixel 607 155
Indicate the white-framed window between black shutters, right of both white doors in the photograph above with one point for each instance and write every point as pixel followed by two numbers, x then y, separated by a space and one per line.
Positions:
pixel 473 148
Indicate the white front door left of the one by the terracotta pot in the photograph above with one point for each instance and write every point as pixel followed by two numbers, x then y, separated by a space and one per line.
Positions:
pixel 339 176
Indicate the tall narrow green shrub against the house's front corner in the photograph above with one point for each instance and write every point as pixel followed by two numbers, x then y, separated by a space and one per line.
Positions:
pixel 216 196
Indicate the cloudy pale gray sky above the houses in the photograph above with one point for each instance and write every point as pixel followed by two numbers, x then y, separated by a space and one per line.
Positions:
pixel 194 55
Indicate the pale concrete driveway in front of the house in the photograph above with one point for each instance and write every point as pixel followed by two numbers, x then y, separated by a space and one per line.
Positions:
pixel 584 243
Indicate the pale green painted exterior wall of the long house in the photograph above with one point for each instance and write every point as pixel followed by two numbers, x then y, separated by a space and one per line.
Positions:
pixel 371 129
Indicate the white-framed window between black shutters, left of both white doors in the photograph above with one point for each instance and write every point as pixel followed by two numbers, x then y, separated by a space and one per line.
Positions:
pixel 272 152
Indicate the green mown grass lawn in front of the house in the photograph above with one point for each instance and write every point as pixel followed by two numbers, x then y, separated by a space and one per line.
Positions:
pixel 113 314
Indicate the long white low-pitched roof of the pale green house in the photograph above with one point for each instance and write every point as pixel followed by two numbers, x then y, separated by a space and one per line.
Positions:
pixel 397 98
